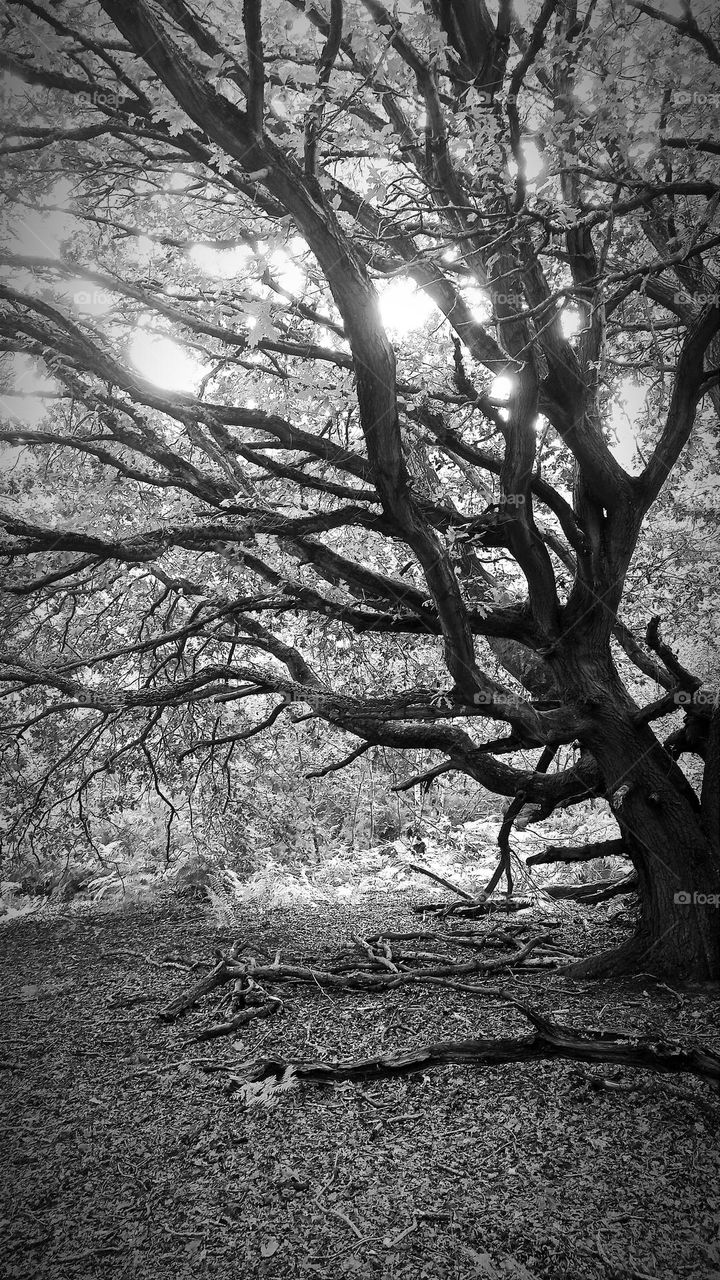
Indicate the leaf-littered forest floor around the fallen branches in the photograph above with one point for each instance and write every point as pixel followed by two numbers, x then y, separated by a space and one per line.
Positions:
pixel 125 1156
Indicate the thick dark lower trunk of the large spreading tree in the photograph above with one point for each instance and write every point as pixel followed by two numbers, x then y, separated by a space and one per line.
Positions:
pixel 660 820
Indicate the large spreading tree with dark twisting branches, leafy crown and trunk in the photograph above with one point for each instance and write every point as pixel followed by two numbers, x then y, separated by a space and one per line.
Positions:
pixel 405 266
